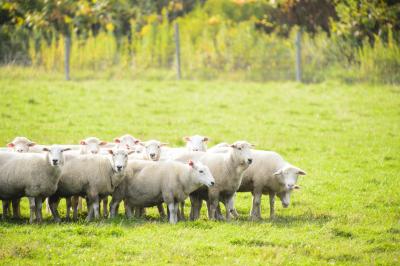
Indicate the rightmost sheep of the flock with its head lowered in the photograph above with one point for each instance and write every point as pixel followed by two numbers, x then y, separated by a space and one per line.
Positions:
pixel 268 174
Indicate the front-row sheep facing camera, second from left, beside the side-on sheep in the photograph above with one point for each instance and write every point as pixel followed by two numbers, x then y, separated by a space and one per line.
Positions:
pixel 90 176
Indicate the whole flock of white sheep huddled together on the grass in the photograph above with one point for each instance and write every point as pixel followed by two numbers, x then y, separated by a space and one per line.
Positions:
pixel 141 174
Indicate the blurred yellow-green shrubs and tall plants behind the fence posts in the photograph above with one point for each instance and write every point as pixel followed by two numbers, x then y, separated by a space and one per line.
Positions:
pixel 350 40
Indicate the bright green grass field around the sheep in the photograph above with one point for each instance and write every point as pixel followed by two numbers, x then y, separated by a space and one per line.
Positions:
pixel 346 136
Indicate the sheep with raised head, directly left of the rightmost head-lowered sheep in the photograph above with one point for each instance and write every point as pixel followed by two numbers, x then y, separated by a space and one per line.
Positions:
pixel 227 169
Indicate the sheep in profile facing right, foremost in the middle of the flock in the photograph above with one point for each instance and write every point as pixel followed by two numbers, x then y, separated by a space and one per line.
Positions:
pixel 150 183
